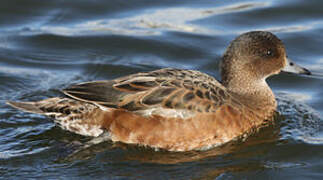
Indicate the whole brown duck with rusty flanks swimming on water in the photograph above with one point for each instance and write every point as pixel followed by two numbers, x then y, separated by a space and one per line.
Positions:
pixel 177 109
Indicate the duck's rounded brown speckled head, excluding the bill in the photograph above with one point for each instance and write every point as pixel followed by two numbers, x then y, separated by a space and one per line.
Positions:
pixel 253 56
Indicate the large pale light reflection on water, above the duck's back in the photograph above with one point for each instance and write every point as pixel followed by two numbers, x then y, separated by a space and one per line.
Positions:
pixel 150 22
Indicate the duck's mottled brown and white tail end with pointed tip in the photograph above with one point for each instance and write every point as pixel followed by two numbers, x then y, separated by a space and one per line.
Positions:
pixel 76 116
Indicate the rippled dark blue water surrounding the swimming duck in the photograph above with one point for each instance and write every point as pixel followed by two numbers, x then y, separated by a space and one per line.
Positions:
pixel 47 45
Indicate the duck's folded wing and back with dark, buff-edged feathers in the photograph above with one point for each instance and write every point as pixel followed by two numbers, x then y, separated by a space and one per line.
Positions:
pixel 169 88
